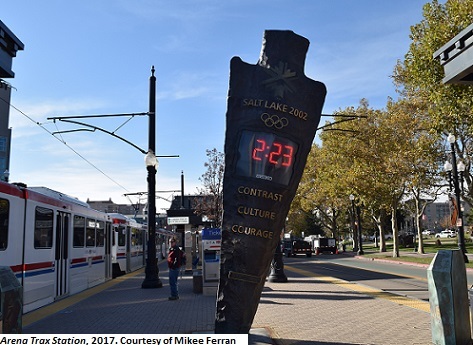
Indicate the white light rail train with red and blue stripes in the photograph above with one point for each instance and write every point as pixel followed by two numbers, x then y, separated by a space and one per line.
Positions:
pixel 57 245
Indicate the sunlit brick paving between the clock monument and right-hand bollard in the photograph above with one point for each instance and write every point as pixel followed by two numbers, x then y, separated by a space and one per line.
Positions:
pixel 313 310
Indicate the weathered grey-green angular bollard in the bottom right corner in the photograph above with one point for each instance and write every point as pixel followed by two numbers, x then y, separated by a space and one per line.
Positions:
pixel 448 297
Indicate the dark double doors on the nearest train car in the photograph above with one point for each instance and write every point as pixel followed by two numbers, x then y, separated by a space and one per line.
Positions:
pixel 62 253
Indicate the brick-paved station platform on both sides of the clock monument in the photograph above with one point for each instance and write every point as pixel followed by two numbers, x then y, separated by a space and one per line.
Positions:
pixel 308 309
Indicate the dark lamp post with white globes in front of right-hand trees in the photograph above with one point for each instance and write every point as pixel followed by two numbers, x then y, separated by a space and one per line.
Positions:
pixel 452 170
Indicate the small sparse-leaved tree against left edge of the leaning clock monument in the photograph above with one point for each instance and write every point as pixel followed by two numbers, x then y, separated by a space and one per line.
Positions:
pixel 210 204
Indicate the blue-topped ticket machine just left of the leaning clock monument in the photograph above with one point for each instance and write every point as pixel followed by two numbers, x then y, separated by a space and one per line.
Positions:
pixel 211 241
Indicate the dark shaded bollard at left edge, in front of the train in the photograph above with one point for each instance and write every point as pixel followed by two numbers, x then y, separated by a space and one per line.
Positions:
pixel 11 302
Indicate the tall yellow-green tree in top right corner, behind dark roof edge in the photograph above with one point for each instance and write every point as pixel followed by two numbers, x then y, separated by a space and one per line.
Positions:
pixel 419 77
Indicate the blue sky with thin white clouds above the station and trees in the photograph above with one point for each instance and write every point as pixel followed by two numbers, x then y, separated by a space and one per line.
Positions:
pixel 95 57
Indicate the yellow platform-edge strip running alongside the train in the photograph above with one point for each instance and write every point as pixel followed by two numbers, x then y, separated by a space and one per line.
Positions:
pixel 59 305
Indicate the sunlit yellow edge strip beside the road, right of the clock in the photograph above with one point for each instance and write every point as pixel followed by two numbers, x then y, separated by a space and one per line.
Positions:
pixel 413 303
